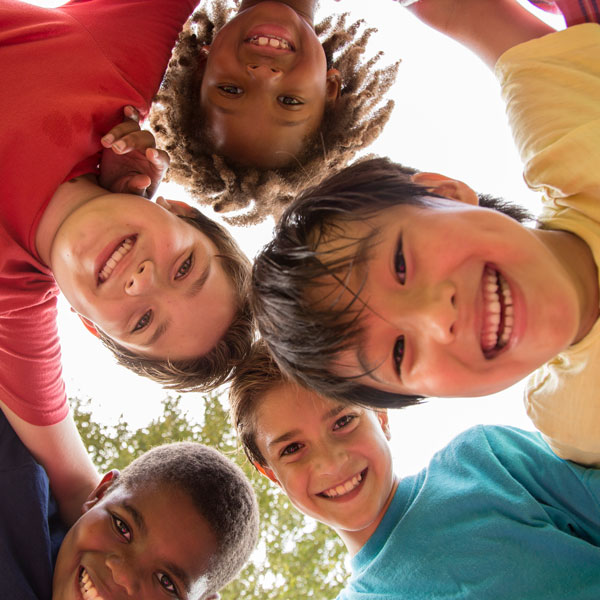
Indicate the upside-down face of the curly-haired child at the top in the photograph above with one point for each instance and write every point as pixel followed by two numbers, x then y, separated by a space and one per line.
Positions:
pixel 265 86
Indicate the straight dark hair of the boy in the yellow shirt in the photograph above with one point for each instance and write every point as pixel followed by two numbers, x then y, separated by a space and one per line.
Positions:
pixel 306 335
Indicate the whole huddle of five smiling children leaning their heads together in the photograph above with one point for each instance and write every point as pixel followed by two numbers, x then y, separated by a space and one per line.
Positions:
pixel 382 285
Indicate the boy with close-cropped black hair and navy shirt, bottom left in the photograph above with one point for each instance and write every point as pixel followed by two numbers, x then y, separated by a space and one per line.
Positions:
pixel 180 520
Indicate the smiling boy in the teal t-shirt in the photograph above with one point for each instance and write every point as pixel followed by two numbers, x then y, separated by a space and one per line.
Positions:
pixel 495 514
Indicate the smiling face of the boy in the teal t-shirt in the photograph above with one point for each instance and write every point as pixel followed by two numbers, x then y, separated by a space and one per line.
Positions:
pixel 334 463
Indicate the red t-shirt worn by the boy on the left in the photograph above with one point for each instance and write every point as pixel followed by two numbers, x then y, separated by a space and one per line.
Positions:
pixel 67 73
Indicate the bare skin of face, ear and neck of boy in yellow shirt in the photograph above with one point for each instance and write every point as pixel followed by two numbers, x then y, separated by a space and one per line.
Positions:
pixel 436 304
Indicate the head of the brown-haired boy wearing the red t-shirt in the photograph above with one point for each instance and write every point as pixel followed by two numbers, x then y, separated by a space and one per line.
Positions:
pixel 163 285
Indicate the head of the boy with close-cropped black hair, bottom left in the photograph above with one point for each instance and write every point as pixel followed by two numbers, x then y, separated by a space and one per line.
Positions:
pixel 180 521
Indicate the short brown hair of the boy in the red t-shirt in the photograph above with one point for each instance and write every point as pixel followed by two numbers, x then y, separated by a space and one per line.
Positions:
pixel 203 373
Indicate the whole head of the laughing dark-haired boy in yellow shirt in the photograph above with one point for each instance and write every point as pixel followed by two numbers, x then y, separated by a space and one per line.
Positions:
pixel 384 285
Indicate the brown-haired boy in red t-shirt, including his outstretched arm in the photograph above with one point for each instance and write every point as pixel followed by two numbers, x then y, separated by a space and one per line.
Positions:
pixel 166 293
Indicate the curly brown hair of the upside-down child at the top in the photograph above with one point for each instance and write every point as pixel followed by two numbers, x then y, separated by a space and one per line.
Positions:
pixel 356 120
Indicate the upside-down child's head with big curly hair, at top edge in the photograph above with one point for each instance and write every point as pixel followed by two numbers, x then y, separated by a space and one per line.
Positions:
pixel 267 104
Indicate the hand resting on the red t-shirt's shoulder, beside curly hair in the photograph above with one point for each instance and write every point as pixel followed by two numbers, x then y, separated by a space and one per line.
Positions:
pixel 130 162
